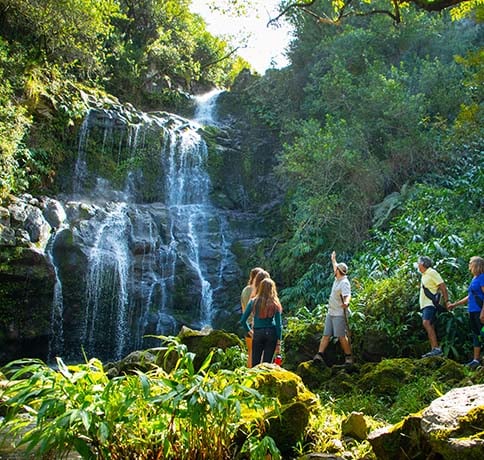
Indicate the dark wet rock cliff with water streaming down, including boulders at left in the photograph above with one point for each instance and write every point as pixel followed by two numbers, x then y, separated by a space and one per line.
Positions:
pixel 138 244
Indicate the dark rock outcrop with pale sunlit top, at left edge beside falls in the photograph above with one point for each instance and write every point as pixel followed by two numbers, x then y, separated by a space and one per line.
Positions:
pixel 27 280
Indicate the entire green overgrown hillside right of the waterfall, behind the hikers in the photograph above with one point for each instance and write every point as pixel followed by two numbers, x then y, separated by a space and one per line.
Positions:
pixel 381 160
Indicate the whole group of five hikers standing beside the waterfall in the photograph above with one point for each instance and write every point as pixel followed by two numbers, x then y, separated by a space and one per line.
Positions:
pixel 262 311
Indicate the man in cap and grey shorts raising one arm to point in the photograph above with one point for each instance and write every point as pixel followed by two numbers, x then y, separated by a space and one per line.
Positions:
pixel 336 324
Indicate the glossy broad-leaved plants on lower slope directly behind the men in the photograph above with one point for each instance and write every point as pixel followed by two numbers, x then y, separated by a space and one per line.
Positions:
pixel 441 221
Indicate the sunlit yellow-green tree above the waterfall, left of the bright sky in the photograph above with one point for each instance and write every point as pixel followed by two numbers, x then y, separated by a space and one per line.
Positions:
pixel 160 50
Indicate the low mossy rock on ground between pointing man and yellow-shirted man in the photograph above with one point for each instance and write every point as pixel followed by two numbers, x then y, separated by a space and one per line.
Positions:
pixel 386 377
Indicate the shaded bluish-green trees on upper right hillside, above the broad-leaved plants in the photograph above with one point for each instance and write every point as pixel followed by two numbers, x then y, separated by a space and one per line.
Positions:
pixel 362 111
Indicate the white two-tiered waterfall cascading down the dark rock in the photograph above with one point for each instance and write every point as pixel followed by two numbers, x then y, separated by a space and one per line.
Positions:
pixel 150 256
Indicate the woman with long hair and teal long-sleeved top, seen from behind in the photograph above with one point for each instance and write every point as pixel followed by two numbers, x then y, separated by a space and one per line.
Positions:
pixel 266 331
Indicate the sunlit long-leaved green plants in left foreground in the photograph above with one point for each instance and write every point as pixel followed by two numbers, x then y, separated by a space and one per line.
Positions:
pixel 181 414
